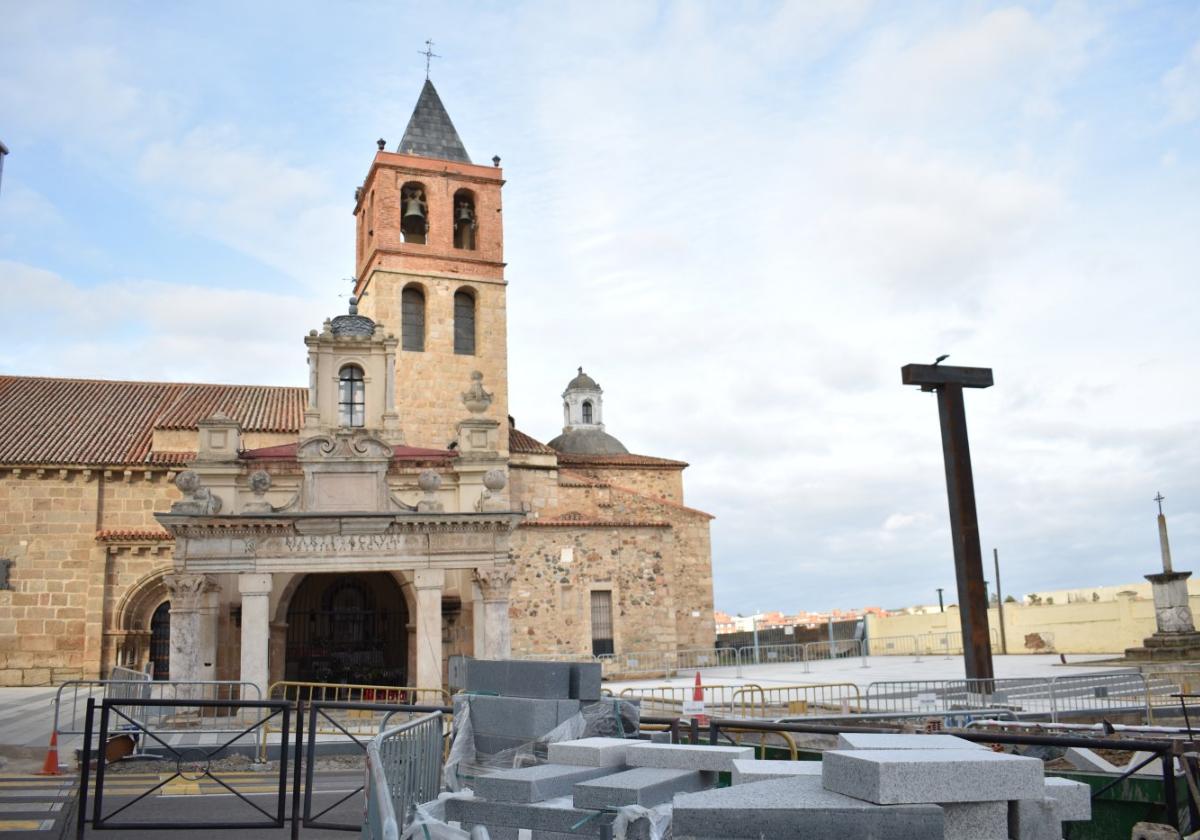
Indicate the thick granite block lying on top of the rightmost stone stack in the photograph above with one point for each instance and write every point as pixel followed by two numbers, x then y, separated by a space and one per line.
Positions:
pixel 903 777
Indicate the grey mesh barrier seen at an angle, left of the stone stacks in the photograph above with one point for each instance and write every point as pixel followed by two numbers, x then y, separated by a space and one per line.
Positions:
pixel 404 771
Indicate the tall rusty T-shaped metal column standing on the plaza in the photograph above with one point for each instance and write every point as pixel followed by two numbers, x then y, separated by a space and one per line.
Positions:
pixel 949 383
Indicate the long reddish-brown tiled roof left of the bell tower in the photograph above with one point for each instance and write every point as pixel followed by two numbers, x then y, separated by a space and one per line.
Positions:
pixel 91 422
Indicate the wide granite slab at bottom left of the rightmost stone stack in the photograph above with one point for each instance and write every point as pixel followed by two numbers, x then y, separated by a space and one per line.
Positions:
pixel 799 809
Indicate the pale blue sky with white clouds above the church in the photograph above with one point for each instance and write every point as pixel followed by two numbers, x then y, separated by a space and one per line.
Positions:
pixel 742 219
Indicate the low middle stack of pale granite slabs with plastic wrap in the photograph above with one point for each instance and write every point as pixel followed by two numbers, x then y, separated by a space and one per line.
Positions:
pixel 586 784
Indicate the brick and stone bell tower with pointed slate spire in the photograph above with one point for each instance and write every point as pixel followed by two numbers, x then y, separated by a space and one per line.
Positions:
pixel 430 268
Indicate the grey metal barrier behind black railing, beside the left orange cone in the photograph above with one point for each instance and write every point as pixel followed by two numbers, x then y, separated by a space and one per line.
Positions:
pixel 71 704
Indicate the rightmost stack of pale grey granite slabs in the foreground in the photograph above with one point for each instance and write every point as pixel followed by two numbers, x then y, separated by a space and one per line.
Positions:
pixel 884 787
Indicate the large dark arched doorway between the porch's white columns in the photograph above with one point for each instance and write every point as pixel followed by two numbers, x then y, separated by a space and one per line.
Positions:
pixel 349 629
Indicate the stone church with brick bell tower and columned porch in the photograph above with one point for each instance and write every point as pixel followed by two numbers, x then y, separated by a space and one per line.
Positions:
pixel 361 527
